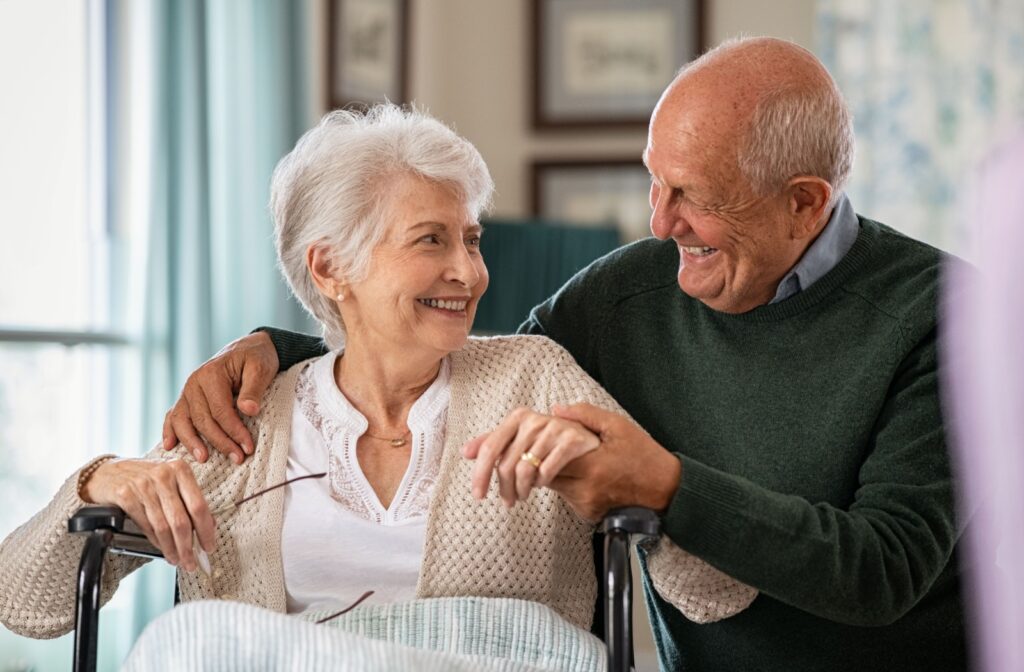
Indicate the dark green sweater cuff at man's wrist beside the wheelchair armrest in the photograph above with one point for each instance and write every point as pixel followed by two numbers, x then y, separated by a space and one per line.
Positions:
pixel 703 515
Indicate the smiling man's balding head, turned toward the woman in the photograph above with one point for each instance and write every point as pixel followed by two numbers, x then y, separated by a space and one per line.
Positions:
pixel 749 150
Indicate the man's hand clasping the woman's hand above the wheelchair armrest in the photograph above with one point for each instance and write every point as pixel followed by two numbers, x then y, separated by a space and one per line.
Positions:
pixel 629 469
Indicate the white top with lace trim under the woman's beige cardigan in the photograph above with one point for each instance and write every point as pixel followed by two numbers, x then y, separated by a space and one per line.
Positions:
pixel 338 541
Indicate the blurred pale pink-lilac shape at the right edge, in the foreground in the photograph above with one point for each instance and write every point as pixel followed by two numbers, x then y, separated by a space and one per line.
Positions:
pixel 984 375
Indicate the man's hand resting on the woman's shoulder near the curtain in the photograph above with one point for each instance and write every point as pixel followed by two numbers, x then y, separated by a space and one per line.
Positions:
pixel 246 366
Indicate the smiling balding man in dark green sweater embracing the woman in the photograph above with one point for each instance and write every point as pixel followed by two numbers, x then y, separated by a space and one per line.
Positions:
pixel 789 392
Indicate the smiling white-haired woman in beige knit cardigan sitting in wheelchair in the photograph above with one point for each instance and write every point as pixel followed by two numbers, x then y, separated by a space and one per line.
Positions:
pixel 377 233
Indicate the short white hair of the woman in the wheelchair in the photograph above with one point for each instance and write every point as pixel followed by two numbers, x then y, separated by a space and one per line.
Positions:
pixel 331 190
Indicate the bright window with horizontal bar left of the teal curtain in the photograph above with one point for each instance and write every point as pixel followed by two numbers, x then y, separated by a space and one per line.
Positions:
pixel 69 367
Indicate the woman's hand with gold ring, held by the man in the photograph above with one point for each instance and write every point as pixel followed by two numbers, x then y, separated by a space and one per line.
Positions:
pixel 552 443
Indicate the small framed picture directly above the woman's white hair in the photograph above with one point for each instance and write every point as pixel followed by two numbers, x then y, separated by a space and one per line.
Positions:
pixel 368 46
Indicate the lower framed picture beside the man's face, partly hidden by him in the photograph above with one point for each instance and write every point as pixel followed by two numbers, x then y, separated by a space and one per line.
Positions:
pixel 594 192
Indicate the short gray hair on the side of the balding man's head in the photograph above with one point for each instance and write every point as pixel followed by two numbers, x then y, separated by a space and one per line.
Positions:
pixel 800 129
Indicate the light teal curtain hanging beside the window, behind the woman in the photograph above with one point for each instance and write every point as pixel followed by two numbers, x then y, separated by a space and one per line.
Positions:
pixel 230 91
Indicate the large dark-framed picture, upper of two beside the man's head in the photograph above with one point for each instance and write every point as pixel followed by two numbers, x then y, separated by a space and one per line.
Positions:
pixel 606 63
